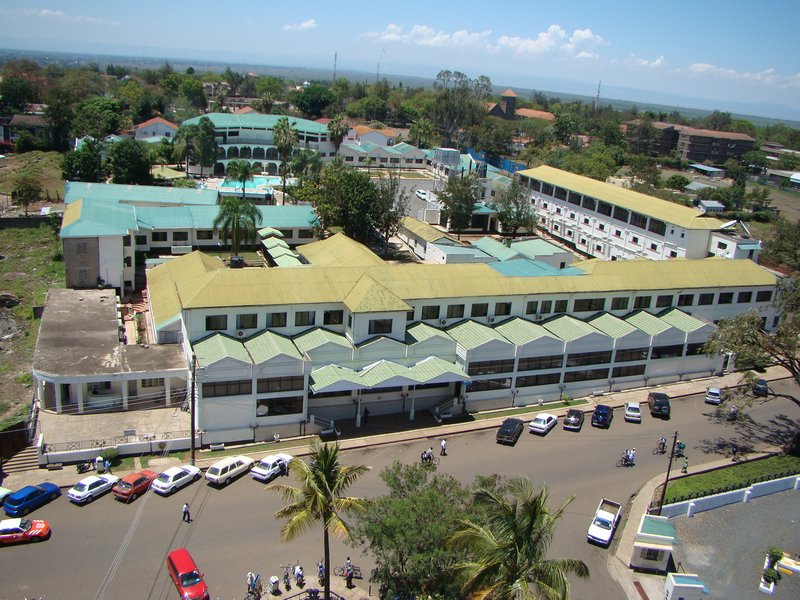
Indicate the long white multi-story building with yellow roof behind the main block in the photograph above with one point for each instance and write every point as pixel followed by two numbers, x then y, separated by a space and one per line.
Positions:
pixel 612 222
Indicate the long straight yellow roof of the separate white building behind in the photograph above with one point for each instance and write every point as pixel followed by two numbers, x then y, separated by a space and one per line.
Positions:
pixel 663 210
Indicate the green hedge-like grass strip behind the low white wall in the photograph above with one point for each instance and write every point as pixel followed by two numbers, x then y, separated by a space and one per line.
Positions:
pixel 730 478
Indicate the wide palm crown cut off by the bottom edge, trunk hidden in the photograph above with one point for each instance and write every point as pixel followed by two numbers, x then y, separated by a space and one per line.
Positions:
pixel 509 552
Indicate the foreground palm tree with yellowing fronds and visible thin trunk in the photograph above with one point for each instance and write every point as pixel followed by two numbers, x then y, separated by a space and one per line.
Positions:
pixel 323 481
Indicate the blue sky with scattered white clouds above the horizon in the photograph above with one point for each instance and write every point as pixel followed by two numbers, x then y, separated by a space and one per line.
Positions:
pixel 730 55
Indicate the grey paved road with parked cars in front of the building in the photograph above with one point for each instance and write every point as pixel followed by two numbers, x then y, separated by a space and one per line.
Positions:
pixel 111 550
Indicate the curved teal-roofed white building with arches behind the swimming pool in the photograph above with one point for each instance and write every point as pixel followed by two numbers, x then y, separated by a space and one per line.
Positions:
pixel 250 136
